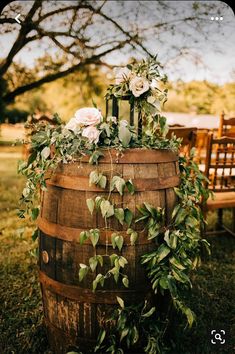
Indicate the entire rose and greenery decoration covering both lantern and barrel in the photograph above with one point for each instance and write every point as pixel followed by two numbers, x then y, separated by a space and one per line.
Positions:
pixel 178 245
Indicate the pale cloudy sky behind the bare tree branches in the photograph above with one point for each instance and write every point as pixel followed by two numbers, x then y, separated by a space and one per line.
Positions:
pixel 214 55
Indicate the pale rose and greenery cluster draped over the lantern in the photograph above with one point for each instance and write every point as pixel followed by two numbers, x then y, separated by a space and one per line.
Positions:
pixel 143 84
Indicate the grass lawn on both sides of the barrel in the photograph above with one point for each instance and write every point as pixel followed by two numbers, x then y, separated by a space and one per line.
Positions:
pixel 21 314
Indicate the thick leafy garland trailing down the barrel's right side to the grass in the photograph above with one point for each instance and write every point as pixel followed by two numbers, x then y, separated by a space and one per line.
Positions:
pixel 177 253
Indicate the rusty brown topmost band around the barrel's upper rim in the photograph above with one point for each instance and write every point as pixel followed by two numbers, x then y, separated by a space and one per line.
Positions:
pixel 135 156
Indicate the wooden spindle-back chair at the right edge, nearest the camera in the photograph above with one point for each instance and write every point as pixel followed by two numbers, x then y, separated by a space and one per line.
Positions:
pixel 220 170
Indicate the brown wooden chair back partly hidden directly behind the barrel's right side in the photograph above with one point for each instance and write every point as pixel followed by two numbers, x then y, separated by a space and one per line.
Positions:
pixel 188 136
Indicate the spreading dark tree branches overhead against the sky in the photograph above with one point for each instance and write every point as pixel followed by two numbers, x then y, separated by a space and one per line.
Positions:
pixel 74 35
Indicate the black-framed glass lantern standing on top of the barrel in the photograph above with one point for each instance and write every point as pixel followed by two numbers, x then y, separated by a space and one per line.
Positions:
pixel 114 107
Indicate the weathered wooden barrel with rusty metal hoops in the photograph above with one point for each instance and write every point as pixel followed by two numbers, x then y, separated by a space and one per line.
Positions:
pixel 73 313
